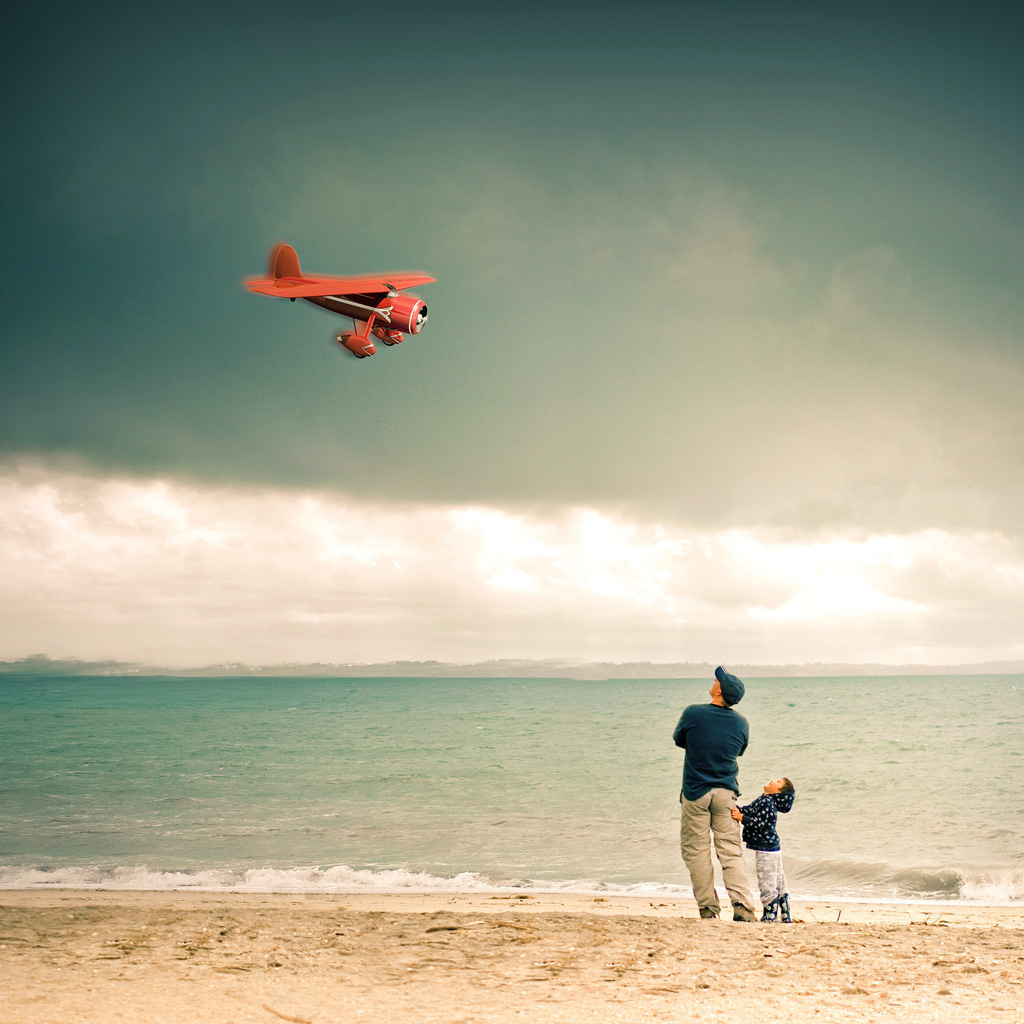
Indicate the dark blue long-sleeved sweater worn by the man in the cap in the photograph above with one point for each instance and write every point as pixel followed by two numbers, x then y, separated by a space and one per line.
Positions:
pixel 713 738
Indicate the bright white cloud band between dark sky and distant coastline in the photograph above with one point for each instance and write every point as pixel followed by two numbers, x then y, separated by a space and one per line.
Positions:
pixel 168 573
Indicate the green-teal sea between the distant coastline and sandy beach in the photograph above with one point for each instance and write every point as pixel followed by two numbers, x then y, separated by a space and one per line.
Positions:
pixel 908 788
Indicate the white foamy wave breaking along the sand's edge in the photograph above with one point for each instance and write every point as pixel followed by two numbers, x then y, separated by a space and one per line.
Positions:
pixel 824 880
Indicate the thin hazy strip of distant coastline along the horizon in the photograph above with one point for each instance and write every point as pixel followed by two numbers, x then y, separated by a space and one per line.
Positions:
pixel 42 665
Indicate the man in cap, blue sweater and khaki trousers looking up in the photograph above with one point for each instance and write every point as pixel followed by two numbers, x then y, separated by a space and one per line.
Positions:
pixel 714 736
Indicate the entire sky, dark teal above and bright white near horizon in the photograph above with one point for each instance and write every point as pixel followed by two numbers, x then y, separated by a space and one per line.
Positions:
pixel 724 360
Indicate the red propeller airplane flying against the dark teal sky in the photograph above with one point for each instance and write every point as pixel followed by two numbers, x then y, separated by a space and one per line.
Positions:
pixel 372 304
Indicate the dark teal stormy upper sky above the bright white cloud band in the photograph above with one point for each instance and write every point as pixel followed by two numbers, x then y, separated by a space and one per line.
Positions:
pixel 752 265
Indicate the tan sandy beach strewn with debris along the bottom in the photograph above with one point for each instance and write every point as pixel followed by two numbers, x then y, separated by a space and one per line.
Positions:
pixel 257 959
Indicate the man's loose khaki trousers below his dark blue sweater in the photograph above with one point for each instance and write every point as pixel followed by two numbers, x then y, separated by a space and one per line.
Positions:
pixel 703 819
